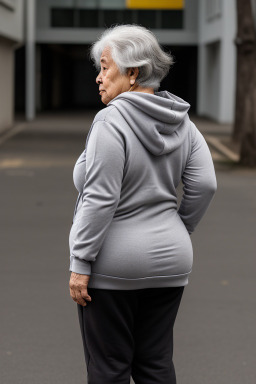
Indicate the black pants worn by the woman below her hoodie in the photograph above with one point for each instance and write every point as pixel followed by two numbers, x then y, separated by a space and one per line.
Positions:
pixel 130 333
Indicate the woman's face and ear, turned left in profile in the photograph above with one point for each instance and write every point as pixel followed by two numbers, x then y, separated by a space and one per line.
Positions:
pixel 111 81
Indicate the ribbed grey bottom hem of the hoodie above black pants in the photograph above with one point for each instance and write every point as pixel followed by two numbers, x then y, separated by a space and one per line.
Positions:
pixel 110 282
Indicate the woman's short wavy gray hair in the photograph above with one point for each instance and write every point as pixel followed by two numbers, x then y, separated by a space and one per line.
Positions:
pixel 134 46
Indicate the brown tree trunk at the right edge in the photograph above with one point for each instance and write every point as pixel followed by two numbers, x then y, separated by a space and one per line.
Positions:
pixel 245 115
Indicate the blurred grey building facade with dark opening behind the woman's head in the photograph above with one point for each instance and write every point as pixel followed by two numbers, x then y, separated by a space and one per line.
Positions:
pixel 59 75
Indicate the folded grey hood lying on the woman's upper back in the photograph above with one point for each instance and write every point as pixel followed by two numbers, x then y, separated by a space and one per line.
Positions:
pixel 159 120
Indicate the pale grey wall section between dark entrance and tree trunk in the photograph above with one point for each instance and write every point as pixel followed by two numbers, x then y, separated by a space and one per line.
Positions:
pixel 217 59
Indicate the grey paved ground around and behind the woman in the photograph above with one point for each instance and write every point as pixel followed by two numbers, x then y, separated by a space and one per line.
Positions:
pixel 40 342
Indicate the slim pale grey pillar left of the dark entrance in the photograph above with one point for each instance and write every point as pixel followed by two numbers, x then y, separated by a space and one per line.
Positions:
pixel 30 59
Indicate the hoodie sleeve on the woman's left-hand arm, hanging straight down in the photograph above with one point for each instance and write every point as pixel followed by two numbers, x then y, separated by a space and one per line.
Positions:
pixel 105 158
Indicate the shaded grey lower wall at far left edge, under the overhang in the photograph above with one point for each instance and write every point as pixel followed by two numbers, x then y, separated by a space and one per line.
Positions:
pixel 6 81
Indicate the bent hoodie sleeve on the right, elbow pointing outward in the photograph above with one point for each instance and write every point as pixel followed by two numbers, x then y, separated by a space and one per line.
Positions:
pixel 199 182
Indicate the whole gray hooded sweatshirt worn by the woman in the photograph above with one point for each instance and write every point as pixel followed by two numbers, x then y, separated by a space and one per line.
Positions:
pixel 128 231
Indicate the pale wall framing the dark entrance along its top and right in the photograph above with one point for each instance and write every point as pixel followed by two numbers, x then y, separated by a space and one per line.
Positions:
pixel 210 24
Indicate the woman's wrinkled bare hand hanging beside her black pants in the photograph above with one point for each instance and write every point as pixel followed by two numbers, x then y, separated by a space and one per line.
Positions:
pixel 78 288
